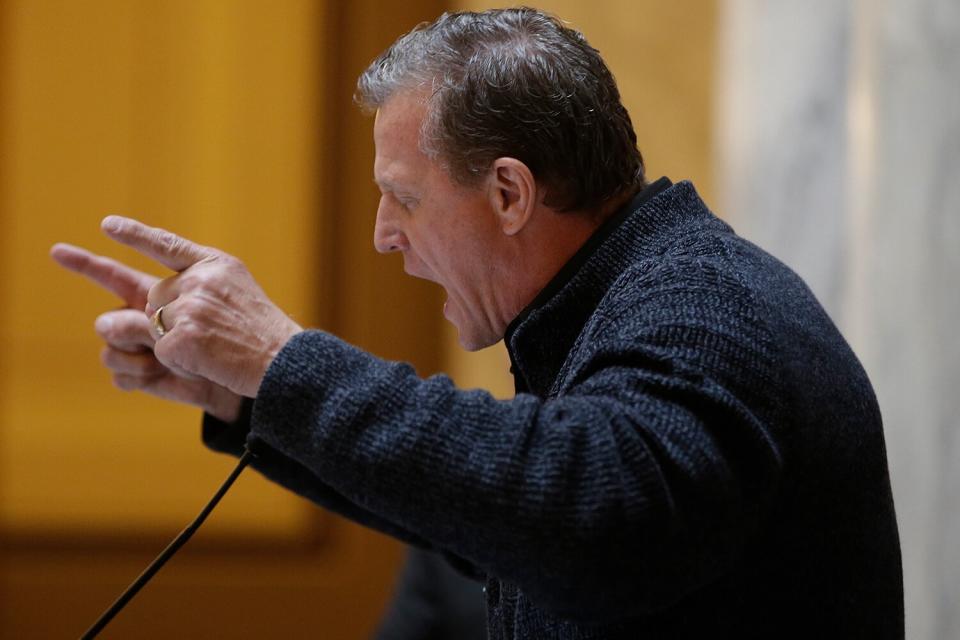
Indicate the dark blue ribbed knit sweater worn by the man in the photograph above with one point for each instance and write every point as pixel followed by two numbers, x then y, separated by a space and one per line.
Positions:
pixel 695 451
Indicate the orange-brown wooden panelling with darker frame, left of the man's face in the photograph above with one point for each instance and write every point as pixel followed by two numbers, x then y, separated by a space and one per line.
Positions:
pixel 232 123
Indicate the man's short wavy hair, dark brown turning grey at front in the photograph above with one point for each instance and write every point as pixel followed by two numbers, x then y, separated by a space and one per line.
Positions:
pixel 515 83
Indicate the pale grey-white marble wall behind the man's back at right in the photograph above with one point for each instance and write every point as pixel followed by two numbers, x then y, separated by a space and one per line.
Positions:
pixel 838 139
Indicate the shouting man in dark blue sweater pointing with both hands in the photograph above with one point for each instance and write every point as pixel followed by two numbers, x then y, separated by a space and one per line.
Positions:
pixel 693 450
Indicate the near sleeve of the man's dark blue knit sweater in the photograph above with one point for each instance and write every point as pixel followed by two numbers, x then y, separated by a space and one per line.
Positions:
pixel 634 488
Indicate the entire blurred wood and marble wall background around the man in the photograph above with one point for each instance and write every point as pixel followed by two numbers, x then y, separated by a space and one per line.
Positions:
pixel 827 131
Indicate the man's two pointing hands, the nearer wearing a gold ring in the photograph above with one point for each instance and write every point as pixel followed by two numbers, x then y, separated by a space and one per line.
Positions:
pixel 222 329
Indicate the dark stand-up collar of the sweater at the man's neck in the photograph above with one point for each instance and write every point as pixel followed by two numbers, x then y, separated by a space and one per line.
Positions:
pixel 540 337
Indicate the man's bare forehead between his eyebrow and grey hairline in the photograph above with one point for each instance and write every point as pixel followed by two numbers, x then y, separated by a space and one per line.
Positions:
pixel 396 135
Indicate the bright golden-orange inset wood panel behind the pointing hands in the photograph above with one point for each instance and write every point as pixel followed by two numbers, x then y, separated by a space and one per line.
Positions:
pixel 153 110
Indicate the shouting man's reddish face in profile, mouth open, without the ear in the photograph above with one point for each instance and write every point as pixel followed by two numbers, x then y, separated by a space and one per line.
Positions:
pixel 447 233
